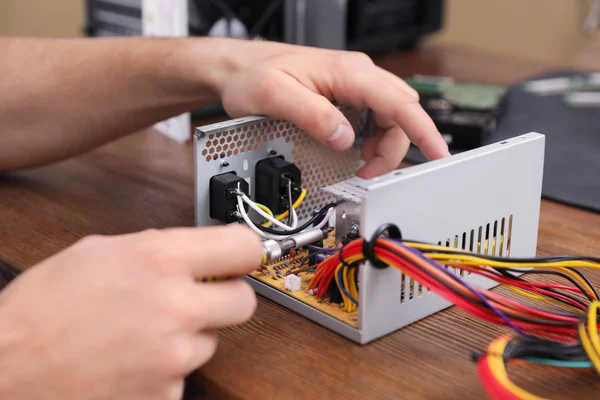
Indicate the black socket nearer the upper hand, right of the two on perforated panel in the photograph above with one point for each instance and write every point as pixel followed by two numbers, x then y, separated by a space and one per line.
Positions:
pixel 272 178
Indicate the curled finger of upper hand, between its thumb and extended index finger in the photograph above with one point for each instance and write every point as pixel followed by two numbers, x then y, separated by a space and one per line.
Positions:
pixel 389 153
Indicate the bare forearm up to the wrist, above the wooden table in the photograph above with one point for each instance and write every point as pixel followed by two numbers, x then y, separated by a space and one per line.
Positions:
pixel 59 98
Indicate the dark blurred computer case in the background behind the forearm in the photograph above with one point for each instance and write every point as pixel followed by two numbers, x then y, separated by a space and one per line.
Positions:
pixel 359 25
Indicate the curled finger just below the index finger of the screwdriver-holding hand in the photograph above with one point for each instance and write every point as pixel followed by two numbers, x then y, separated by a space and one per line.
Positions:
pixel 222 304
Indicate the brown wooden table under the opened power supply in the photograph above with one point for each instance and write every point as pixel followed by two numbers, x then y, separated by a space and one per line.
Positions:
pixel 145 181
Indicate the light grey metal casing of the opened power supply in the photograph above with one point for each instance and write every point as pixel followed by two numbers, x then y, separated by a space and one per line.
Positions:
pixel 490 196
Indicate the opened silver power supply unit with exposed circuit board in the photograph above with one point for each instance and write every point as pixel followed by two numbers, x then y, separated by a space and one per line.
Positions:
pixel 485 200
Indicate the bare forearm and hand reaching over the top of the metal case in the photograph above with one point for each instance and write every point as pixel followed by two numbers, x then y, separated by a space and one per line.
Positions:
pixel 59 98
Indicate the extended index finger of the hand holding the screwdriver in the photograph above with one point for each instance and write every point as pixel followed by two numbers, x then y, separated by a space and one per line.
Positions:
pixel 232 250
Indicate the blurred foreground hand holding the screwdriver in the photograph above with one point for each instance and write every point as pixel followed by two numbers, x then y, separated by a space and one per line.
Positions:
pixel 123 317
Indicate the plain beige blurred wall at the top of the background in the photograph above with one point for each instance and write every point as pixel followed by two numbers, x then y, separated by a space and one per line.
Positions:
pixel 549 30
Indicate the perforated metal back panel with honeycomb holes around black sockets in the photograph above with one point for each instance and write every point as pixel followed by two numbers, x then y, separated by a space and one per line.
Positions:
pixel 237 145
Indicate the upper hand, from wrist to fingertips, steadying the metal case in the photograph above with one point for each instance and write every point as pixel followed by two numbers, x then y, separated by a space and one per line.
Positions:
pixel 298 84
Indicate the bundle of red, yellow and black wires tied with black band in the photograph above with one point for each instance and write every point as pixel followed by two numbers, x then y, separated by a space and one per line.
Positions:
pixel 565 336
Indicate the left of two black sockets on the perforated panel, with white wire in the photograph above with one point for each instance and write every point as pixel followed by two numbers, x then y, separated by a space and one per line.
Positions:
pixel 223 201
